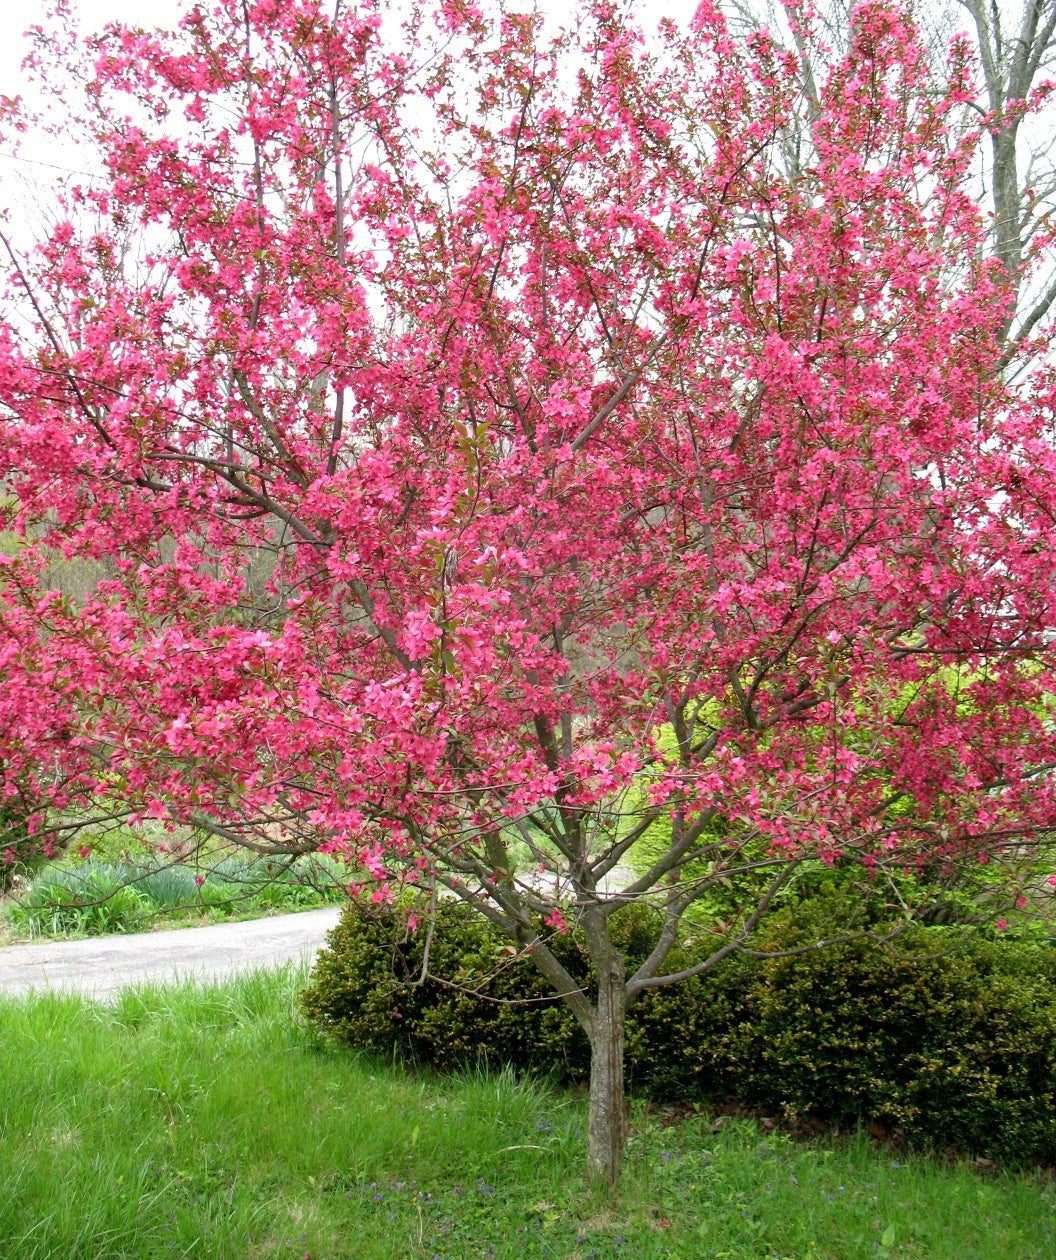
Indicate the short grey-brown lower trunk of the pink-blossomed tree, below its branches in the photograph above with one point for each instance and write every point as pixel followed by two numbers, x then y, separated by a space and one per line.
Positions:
pixel 605 1126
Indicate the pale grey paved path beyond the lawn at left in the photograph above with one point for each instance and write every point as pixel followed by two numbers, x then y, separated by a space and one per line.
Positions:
pixel 101 966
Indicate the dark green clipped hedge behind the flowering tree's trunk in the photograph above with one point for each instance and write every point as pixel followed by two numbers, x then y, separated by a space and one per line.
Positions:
pixel 953 1045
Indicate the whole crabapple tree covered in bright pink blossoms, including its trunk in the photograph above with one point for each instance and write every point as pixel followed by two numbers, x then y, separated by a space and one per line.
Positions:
pixel 497 457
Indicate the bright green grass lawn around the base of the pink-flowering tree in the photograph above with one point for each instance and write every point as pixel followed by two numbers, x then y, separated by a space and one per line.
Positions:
pixel 209 1122
